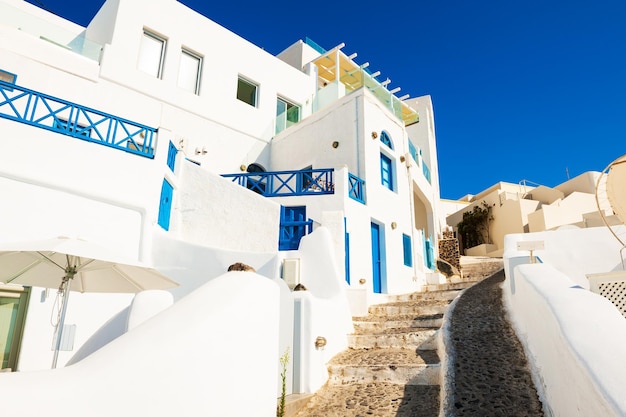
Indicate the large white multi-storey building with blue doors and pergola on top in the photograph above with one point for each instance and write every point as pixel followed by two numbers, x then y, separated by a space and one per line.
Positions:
pixel 138 132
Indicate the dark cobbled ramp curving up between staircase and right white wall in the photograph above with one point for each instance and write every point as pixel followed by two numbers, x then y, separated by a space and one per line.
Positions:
pixel 490 371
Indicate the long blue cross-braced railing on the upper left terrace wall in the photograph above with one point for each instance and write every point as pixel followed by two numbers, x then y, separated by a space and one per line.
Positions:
pixel 41 110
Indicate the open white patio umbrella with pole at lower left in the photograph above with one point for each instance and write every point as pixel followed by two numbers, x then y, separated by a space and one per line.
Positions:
pixel 74 265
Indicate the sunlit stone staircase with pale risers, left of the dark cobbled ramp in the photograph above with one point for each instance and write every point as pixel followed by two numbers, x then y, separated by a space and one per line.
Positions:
pixel 392 367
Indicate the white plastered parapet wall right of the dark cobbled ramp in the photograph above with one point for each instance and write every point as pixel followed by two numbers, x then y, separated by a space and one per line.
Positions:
pixel 574 339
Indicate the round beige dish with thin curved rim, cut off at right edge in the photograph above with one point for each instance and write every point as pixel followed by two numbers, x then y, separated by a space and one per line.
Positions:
pixel 611 197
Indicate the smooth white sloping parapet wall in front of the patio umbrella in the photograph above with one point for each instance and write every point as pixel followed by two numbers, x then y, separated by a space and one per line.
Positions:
pixel 194 358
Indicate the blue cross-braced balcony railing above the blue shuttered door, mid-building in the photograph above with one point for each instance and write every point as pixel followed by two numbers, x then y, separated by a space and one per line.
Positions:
pixel 287 183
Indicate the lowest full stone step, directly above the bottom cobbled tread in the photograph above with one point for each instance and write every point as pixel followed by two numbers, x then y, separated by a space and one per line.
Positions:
pixel 396 366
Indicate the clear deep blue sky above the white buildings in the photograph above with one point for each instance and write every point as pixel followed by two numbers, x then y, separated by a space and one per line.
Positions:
pixel 522 90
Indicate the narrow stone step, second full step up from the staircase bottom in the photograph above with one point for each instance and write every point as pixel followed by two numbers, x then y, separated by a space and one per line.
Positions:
pixel 412 338
